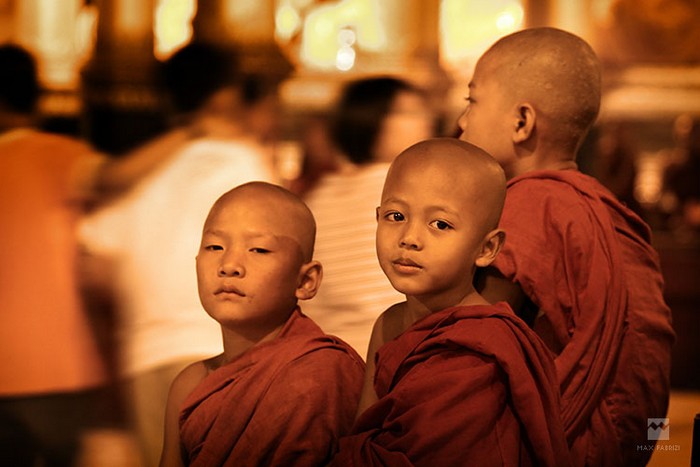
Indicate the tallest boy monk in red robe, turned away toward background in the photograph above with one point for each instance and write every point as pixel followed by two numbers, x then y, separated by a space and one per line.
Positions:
pixel 574 252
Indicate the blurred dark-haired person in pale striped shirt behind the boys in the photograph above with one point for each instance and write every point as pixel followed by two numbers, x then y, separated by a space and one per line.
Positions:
pixel 374 120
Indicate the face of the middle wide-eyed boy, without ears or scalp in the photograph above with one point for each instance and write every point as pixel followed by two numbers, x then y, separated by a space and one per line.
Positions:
pixel 429 235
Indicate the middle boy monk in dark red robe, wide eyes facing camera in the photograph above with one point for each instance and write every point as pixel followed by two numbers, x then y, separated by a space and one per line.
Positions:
pixel 457 381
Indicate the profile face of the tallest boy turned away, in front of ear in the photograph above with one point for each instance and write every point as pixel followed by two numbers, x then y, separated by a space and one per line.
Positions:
pixel 487 120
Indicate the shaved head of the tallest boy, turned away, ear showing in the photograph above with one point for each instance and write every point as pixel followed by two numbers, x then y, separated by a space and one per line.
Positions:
pixel 532 111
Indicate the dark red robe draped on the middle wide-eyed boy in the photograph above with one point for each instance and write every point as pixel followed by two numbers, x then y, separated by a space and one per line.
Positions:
pixel 464 386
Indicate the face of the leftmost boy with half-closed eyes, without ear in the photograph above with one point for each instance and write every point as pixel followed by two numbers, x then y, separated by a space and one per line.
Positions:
pixel 248 266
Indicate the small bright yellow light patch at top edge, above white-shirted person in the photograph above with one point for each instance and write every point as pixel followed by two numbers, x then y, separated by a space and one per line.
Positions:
pixel 172 26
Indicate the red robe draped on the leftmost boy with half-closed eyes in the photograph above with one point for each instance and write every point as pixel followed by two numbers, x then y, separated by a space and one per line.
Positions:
pixel 283 402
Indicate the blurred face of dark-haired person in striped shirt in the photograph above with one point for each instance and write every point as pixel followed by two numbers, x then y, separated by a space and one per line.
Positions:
pixel 409 121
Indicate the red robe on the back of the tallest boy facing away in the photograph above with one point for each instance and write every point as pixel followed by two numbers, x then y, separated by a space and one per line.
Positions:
pixel 587 262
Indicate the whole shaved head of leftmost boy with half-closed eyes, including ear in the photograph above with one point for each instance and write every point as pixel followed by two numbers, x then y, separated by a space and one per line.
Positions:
pixel 254 261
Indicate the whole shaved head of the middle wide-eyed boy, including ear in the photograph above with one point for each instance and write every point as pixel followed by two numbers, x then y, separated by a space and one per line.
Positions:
pixel 433 232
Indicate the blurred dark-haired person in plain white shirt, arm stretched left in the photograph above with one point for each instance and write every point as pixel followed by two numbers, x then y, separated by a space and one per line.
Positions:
pixel 151 234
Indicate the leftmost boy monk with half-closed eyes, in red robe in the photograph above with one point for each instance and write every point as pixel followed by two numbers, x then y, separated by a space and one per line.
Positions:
pixel 282 392
